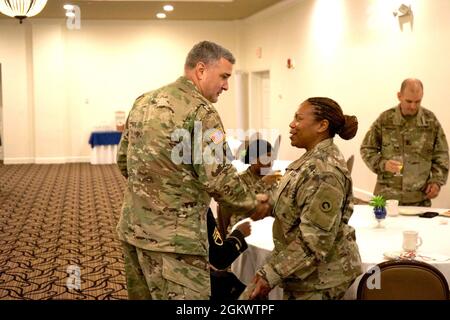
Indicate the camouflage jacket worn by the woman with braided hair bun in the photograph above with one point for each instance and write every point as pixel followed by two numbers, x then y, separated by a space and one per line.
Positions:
pixel 315 248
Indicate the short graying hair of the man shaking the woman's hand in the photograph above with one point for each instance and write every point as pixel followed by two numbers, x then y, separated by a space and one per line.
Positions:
pixel 207 52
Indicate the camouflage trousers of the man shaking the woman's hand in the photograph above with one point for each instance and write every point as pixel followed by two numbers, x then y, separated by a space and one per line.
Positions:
pixel 153 275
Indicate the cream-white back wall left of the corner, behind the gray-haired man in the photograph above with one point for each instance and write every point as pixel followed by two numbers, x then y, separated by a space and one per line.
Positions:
pixel 59 84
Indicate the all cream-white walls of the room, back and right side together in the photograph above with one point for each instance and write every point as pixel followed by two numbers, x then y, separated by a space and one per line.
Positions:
pixel 58 84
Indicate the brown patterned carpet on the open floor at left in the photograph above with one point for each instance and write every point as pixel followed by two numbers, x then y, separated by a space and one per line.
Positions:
pixel 57 232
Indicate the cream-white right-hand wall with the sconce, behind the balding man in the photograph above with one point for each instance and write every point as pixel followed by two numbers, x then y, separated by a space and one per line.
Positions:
pixel 354 52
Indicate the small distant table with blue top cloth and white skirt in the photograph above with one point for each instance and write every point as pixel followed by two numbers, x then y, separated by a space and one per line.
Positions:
pixel 104 146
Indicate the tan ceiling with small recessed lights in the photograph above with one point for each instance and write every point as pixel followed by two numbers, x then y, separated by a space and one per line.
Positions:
pixel 147 9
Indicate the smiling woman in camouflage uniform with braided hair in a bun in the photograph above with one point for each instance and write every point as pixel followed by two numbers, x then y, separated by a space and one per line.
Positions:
pixel 315 255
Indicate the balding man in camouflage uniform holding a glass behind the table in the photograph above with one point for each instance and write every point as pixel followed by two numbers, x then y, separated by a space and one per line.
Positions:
pixel 414 134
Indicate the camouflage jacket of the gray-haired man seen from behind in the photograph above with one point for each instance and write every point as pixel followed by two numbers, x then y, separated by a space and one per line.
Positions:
pixel 167 154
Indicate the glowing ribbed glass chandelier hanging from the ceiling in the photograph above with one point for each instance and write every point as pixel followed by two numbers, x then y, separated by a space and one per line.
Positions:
pixel 21 9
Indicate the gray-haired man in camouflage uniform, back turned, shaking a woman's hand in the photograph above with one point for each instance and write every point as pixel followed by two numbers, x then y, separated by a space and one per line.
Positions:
pixel 173 155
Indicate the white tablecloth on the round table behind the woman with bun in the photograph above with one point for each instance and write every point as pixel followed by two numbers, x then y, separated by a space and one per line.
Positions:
pixel 372 242
